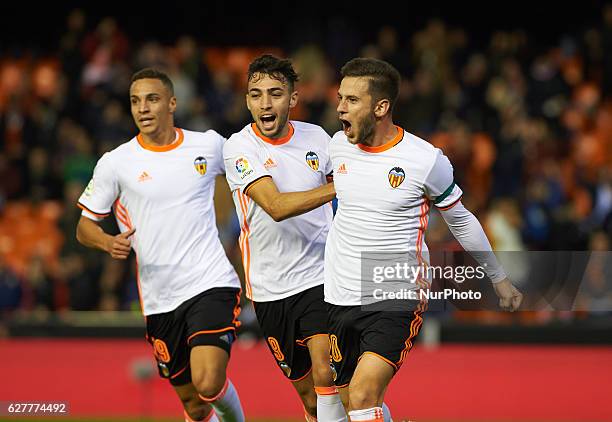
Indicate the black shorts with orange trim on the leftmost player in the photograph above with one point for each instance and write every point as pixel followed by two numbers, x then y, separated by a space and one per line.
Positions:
pixel 208 319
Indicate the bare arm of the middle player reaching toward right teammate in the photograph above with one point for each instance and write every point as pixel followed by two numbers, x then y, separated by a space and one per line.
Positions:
pixel 283 205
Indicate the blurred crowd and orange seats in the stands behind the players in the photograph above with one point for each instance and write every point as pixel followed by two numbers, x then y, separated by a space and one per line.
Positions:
pixel 527 126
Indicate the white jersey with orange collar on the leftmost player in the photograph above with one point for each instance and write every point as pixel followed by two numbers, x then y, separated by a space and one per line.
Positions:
pixel 166 193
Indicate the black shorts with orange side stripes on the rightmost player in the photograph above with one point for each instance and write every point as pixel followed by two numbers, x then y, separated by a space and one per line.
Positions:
pixel 352 332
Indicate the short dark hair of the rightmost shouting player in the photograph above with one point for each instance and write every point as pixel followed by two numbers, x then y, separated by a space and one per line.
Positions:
pixel 384 78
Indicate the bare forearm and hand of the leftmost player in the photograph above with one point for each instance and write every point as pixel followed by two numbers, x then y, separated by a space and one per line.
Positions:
pixel 90 234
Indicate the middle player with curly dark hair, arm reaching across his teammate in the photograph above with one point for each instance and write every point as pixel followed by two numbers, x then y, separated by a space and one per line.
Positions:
pixel 277 170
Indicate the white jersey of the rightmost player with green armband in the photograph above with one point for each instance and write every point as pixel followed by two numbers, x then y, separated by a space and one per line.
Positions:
pixel 384 197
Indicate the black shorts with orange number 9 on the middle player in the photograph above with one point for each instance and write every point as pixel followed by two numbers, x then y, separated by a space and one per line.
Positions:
pixel 287 325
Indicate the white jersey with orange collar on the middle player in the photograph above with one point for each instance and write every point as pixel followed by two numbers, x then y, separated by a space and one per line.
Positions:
pixel 280 258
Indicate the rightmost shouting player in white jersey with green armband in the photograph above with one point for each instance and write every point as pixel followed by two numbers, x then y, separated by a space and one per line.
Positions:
pixel 386 181
